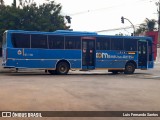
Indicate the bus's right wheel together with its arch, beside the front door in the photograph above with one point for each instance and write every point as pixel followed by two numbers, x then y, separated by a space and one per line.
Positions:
pixel 130 67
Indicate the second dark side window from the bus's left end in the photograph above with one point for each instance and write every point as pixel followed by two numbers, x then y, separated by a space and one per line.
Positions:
pixel 38 41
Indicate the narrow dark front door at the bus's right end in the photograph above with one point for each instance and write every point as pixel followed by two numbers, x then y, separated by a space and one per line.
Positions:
pixel 142 54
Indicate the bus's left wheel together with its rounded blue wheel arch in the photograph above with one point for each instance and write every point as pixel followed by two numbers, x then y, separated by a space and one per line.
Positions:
pixel 62 67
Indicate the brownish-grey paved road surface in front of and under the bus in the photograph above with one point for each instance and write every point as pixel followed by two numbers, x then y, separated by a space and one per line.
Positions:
pixel 80 91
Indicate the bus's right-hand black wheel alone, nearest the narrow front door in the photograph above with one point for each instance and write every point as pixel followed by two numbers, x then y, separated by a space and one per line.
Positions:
pixel 129 68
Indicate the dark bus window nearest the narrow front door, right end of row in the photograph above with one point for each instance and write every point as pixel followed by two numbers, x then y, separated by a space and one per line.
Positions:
pixel 130 44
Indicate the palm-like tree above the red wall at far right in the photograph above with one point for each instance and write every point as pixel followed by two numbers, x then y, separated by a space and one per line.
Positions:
pixel 148 25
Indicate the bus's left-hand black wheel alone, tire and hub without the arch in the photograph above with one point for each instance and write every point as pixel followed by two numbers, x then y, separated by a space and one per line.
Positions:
pixel 62 68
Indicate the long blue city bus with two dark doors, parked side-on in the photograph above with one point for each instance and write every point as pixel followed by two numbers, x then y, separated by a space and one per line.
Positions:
pixel 62 50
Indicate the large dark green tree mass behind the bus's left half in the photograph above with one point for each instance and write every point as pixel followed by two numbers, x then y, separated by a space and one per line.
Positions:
pixel 28 16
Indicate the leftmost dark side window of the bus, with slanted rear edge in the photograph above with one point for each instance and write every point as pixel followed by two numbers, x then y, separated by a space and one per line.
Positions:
pixel 20 40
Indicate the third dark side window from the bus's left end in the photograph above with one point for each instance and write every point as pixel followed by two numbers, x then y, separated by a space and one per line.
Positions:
pixel 56 42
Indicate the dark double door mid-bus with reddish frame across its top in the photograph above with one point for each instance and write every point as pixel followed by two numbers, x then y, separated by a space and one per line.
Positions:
pixel 88 53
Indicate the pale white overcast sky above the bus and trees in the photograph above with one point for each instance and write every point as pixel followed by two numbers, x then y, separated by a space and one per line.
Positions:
pixel 97 15
